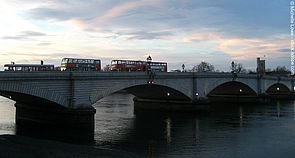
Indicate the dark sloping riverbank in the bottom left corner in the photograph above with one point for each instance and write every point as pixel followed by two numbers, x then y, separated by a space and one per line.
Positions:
pixel 12 146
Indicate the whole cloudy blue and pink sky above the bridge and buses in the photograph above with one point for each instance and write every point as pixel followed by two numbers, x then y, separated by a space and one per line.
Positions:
pixel 176 31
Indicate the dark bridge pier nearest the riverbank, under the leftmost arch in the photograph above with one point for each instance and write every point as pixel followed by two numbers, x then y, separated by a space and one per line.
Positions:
pixel 74 125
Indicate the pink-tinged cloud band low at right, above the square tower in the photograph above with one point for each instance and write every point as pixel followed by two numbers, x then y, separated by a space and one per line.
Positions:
pixel 242 48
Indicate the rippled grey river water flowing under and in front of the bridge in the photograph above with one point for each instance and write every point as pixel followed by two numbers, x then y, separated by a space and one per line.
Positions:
pixel 229 131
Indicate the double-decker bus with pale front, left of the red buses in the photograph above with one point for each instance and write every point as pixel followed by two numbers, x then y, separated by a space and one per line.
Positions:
pixel 75 64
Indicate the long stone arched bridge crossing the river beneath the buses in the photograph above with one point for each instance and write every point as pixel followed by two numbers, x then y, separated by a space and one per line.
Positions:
pixel 67 97
